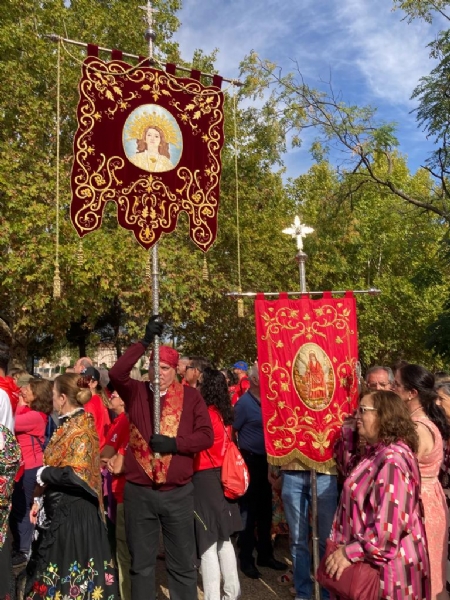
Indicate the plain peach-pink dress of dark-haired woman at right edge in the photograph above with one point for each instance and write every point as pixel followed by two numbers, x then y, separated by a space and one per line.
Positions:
pixel 436 513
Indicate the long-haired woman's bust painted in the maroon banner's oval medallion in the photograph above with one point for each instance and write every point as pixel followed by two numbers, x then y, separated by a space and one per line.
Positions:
pixel 153 153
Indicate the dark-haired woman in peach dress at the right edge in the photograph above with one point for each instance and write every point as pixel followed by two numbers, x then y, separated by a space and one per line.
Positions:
pixel 415 386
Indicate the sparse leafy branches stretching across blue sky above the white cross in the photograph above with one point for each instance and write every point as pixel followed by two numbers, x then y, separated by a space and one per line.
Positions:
pixel 351 132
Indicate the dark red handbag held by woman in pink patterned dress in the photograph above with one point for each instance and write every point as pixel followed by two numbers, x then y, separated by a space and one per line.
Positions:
pixel 359 581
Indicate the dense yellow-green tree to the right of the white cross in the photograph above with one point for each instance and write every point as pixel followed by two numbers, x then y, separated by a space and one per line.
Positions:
pixel 376 242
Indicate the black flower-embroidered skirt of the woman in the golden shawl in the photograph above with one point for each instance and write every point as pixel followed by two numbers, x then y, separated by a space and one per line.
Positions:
pixel 72 559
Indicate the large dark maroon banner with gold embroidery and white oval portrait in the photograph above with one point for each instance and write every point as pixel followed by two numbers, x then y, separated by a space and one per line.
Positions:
pixel 151 143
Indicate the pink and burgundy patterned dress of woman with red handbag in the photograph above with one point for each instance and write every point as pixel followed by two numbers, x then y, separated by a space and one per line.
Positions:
pixel 380 517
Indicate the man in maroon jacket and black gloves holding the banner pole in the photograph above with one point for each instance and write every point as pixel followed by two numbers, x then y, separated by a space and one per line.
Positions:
pixel 158 491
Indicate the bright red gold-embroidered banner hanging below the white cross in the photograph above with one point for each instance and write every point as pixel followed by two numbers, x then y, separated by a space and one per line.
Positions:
pixel 307 354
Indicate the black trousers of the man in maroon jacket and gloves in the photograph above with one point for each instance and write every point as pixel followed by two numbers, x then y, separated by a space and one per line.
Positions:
pixel 146 511
